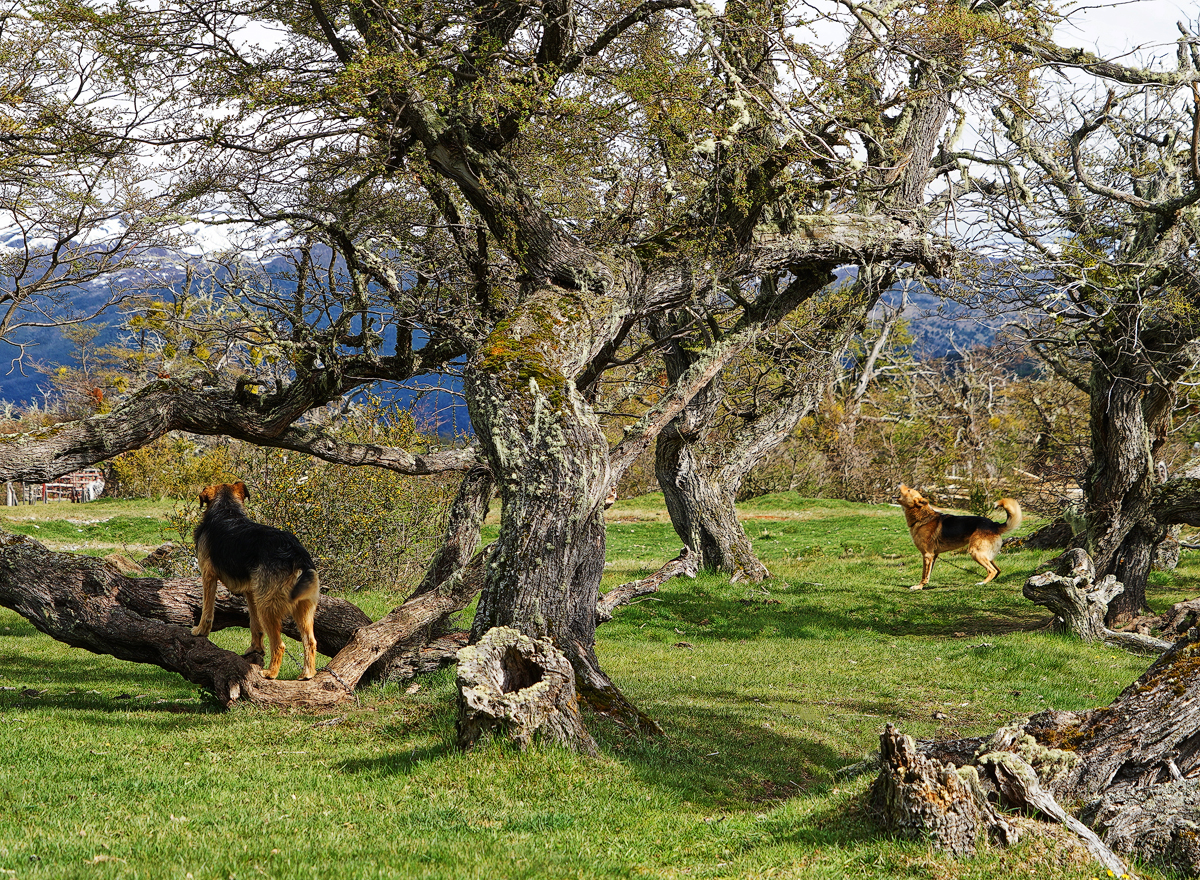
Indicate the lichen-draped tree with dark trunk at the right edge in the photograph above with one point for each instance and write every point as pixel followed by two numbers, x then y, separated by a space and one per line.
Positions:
pixel 1102 199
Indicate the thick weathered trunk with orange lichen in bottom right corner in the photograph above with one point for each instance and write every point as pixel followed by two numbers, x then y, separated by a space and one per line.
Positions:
pixel 1133 765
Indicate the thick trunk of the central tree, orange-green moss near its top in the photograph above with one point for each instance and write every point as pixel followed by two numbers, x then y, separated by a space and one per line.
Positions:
pixel 551 459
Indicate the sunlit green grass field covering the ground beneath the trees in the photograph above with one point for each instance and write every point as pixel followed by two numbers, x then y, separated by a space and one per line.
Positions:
pixel 117 770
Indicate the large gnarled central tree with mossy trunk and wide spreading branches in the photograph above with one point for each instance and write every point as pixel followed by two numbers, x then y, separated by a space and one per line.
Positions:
pixel 505 191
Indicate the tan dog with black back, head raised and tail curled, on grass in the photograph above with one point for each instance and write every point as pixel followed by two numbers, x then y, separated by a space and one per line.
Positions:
pixel 935 532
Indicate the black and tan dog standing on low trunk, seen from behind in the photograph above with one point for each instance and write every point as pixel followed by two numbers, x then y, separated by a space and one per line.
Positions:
pixel 267 566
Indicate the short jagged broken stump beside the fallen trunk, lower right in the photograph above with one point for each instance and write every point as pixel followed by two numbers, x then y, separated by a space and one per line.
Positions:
pixel 917 797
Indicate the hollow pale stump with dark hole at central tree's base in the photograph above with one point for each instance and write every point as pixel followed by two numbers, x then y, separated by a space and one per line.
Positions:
pixel 519 689
